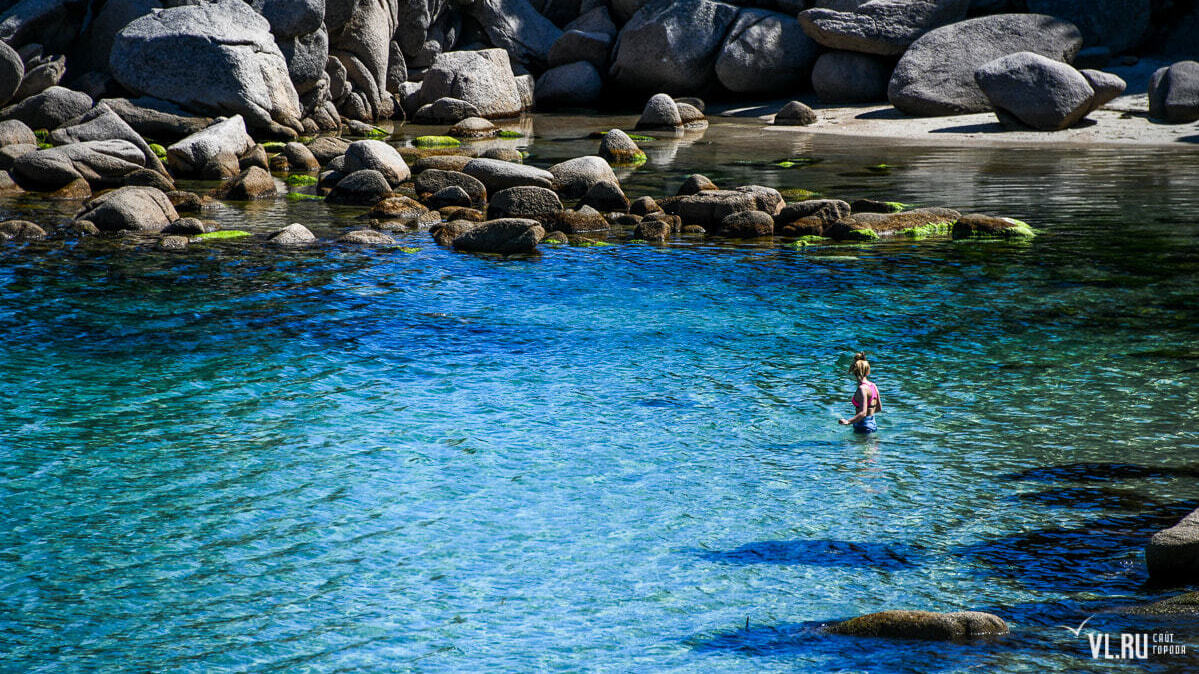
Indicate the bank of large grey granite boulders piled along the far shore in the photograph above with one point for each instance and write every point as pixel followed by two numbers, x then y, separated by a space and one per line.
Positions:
pixel 296 68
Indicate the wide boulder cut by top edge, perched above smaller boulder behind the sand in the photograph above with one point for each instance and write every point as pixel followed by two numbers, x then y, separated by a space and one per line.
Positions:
pixel 881 27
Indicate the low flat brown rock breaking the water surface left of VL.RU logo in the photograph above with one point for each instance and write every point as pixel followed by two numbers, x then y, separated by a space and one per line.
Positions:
pixel 923 625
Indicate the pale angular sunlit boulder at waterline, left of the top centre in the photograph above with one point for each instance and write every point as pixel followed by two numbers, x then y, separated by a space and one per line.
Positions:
pixel 483 79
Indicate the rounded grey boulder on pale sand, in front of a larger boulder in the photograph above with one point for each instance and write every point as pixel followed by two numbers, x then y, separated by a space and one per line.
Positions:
pixel 1041 93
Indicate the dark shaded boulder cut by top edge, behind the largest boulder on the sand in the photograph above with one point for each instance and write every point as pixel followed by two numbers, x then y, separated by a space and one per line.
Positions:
pixel 1117 25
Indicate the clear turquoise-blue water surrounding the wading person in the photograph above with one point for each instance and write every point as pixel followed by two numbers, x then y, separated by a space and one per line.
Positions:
pixel 622 459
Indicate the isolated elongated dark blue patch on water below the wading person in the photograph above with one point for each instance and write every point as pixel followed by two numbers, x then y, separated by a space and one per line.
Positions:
pixel 823 552
